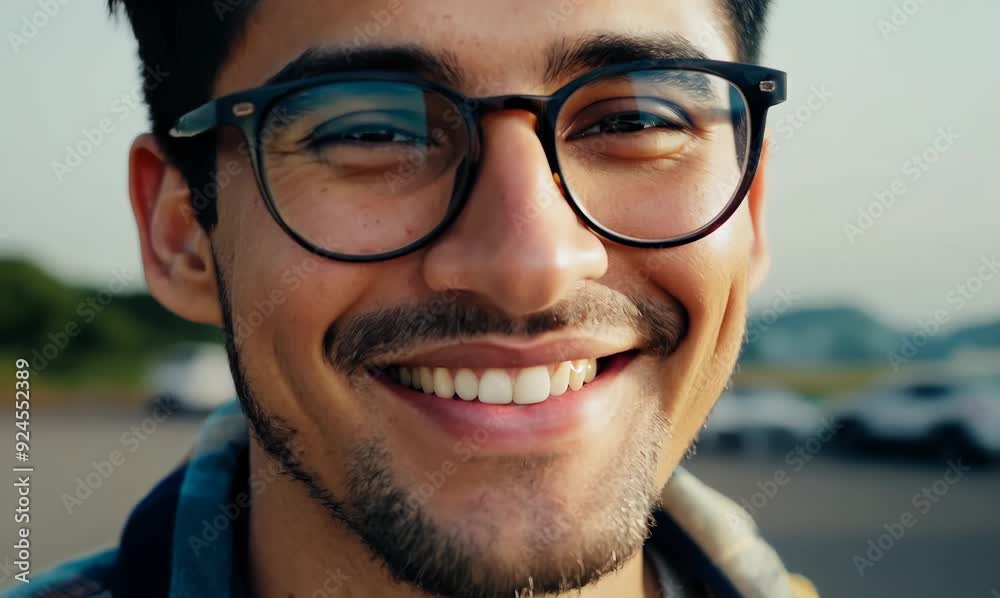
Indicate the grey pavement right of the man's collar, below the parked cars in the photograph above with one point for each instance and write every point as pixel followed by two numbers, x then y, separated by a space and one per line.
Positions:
pixel 825 514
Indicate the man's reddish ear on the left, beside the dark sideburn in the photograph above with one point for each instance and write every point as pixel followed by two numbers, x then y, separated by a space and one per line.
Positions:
pixel 176 252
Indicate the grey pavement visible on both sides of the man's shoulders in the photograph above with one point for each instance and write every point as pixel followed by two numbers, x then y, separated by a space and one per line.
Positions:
pixel 820 513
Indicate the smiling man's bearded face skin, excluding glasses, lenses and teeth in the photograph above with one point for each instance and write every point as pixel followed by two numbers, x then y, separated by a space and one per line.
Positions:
pixel 558 491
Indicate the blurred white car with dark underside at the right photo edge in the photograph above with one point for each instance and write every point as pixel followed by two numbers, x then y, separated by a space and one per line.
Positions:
pixel 940 418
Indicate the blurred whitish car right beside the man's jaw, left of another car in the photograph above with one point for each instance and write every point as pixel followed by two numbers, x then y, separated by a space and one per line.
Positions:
pixel 762 419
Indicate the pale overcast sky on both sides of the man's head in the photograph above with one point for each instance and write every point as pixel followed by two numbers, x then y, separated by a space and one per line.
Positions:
pixel 865 98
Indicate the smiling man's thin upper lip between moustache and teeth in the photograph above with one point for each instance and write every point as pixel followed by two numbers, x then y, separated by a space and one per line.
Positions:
pixel 507 353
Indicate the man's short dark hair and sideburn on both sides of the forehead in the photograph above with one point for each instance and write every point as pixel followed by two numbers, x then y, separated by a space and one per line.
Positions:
pixel 184 43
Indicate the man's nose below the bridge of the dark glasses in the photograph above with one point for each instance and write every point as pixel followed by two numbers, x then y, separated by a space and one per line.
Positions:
pixel 517 244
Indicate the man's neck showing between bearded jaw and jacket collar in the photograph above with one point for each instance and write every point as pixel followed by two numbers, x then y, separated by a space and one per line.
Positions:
pixel 298 549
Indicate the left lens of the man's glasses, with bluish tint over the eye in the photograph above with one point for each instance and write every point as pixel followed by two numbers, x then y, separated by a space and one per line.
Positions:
pixel 363 168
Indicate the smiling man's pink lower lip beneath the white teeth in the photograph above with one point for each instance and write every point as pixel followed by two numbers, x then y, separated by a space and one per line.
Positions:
pixel 513 428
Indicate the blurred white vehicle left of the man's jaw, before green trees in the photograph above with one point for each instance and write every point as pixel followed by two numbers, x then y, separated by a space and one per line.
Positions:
pixel 192 378
